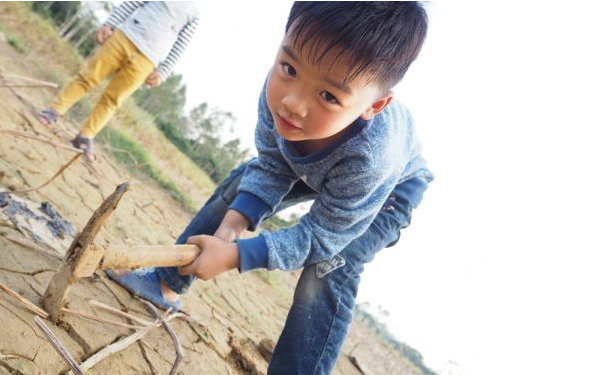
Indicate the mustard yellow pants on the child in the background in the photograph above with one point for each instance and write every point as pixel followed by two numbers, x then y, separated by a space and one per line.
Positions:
pixel 117 55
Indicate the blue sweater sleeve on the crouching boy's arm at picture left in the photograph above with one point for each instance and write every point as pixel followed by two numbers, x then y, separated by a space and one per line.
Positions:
pixel 268 178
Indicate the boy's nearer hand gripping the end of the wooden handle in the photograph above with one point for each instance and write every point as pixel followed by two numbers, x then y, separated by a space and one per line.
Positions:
pixel 217 256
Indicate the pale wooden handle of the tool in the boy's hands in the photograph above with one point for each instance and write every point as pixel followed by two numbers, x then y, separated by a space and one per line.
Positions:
pixel 116 257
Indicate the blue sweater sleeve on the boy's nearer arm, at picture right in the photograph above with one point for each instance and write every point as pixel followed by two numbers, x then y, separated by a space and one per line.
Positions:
pixel 342 212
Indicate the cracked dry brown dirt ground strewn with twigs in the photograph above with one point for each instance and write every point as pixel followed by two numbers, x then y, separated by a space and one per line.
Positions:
pixel 224 320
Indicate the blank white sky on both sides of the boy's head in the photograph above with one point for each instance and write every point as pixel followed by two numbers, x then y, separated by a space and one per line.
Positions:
pixel 506 268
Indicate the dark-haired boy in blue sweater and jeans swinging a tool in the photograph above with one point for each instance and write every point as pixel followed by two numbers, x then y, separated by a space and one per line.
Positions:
pixel 328 130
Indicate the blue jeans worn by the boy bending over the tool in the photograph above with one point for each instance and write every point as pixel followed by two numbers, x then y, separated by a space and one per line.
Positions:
pixel 321 312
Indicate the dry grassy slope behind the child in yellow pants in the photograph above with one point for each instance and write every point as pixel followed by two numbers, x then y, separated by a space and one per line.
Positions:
pixel 131 136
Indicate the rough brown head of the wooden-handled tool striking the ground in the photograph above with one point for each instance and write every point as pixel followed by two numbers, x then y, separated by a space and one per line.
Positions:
pixel 82 258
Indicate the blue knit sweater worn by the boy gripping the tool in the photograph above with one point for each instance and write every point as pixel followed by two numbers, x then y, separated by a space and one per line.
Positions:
pixel 353 178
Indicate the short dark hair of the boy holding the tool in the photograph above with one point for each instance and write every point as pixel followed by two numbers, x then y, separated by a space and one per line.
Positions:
pixel 378 37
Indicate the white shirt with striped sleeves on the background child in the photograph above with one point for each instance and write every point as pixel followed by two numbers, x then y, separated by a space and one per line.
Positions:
pixel 160 30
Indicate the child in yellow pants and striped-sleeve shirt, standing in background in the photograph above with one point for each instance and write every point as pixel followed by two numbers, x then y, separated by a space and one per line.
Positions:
pixel 141 42
